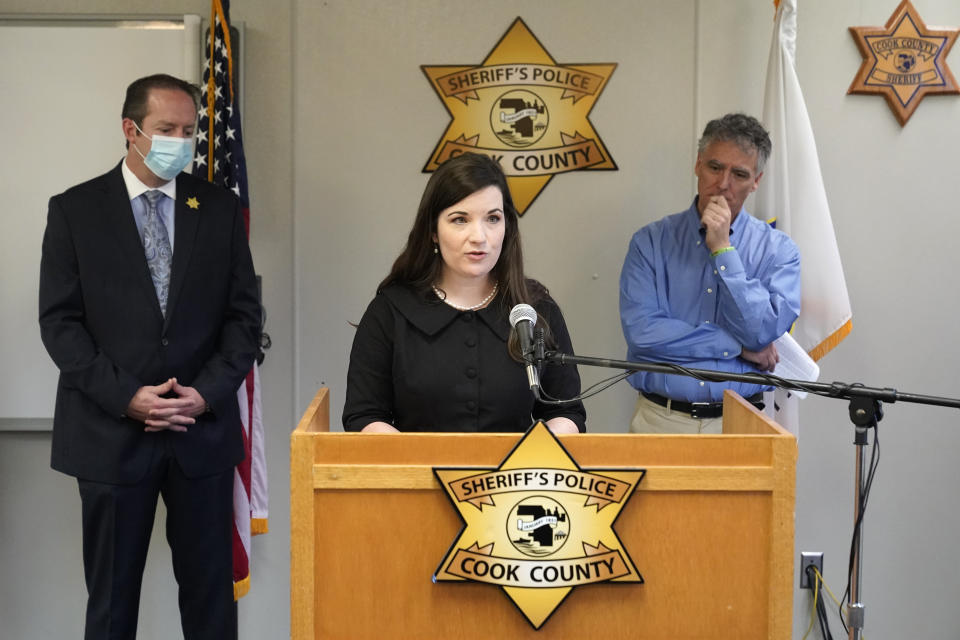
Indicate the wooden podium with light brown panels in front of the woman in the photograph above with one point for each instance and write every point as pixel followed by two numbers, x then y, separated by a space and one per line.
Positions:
pixel 710 529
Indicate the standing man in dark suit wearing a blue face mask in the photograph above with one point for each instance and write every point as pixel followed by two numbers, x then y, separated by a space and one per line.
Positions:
pixel 148 306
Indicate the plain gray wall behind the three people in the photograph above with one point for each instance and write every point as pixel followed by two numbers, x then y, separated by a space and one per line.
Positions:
pixel 338 121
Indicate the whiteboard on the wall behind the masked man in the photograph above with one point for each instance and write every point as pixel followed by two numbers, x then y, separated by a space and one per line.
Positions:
pixel 62 82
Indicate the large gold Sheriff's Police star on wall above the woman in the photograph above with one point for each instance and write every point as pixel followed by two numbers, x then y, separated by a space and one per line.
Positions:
pixel 525 110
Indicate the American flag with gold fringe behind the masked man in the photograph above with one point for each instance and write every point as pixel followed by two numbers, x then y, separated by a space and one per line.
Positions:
pixel 220 159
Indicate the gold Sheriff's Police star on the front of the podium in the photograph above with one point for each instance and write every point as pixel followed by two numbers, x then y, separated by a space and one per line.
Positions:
pixel 538 525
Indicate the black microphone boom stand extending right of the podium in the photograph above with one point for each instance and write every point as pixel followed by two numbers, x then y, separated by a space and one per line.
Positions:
pixel 865 410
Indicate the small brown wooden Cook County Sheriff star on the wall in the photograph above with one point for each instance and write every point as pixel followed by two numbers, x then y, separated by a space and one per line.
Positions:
pixel 904 61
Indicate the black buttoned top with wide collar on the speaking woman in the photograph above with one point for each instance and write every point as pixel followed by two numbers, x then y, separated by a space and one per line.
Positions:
pixel 421 365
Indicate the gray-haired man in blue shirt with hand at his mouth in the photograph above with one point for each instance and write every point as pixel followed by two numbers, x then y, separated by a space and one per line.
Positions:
pixel 711 287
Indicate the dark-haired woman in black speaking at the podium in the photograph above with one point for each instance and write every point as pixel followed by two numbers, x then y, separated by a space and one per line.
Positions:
pixel 434 350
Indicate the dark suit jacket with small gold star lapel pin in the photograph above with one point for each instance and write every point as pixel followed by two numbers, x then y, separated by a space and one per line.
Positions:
pixel 101 323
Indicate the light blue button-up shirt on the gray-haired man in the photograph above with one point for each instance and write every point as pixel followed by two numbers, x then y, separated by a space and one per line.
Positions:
pixel 682 306
